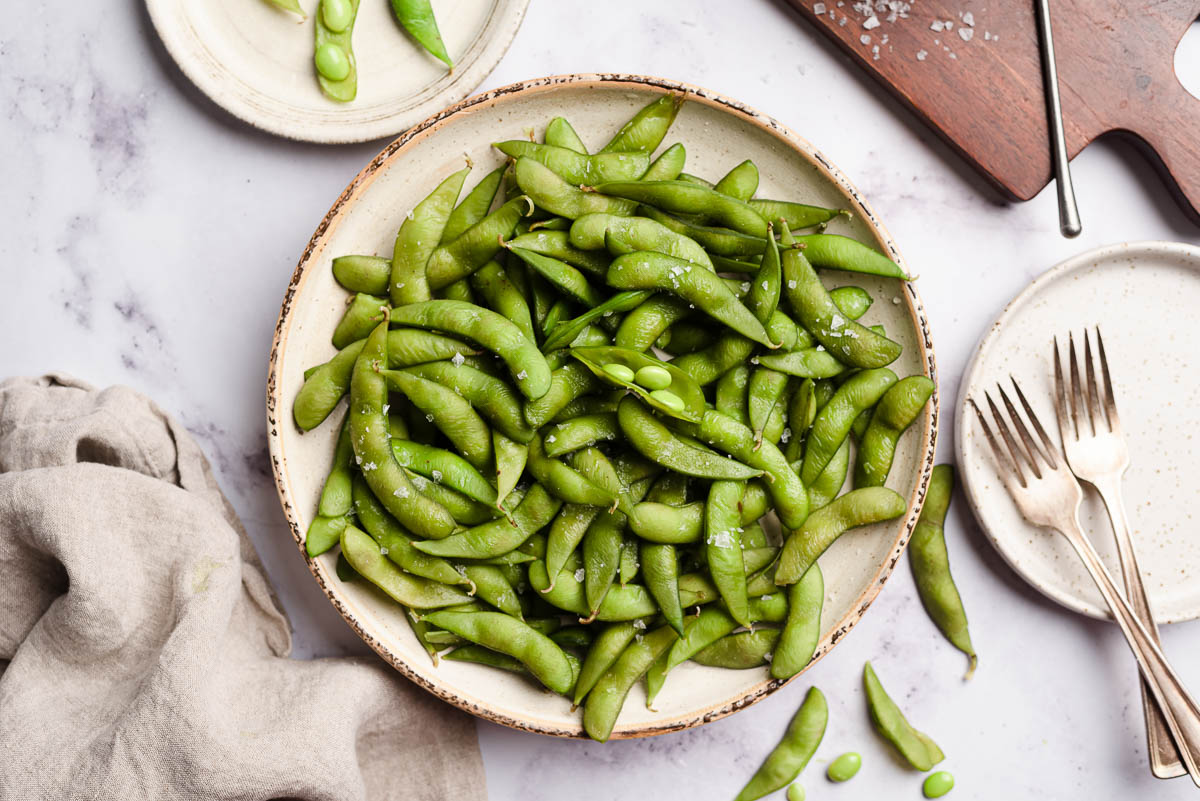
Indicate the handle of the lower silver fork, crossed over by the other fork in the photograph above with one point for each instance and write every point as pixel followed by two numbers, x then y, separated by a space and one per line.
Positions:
pixel 1165 758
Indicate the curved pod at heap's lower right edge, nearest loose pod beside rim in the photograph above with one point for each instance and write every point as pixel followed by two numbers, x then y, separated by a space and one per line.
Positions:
pixel 824 527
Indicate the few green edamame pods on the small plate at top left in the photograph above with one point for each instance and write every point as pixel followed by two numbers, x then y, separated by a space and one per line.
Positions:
pixel 333 56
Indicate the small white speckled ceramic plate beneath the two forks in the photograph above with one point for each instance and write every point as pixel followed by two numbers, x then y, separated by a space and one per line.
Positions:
pixel 1144 297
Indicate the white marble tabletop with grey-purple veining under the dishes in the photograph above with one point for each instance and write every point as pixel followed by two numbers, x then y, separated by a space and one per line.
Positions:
pixel 149 238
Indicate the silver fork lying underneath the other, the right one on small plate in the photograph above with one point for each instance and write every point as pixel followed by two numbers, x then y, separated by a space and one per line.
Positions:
pixel 1096 451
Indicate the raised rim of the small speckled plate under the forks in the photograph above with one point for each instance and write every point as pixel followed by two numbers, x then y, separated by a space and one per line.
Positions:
pixel 963 420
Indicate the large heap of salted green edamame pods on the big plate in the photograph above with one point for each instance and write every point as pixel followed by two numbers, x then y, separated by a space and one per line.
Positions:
pixel 575 394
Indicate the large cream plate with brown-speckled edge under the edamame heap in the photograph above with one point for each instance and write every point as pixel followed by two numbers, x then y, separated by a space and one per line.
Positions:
pixel 719 134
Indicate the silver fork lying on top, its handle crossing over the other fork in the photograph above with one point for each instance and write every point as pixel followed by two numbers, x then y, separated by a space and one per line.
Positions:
pixel 1048 495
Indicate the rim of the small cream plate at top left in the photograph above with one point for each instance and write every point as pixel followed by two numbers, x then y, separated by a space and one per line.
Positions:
pixel 327 129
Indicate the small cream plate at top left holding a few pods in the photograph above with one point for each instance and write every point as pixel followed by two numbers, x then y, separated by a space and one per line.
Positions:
pixel 256 62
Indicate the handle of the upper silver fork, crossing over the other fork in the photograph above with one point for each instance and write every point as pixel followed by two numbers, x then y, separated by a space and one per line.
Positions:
pixel 1181 713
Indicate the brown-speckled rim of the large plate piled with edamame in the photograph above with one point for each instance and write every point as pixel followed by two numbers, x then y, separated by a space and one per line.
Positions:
pixel 278 415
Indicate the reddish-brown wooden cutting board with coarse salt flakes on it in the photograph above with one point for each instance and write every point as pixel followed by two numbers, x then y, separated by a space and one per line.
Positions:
pixel 982 91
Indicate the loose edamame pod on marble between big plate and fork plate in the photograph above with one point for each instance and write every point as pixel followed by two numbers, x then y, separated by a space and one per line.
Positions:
pixel 932 567
